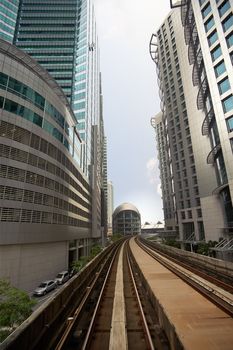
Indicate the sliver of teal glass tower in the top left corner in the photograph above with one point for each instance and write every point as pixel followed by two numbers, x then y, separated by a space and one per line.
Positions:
pixel 8 17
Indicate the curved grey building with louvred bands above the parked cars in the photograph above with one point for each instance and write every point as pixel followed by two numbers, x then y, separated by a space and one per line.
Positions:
pixel 45 198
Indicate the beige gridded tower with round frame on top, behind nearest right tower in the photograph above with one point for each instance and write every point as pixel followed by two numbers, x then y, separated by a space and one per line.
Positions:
pixel 180 179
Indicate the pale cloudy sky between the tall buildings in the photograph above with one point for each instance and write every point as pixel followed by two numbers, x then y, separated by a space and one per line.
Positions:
pixel 131 98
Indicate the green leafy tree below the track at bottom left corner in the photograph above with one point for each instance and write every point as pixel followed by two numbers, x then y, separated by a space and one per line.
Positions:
pixel 15 307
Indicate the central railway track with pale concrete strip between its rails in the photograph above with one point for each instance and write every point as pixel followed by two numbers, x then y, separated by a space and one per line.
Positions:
pixel 118 320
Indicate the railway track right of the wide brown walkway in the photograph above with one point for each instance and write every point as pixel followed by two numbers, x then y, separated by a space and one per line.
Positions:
pixel 212 288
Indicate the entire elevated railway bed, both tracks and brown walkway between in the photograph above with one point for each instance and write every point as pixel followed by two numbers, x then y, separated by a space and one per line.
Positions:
pixel 124 302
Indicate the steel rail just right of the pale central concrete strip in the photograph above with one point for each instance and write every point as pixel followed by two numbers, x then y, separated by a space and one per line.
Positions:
pixel 144 321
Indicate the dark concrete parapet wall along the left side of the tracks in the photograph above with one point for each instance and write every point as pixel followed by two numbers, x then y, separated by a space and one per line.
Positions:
pixel 44 323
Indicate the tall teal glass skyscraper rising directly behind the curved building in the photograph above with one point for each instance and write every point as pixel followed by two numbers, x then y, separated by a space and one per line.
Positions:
pixel 61 36
